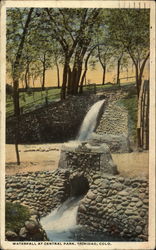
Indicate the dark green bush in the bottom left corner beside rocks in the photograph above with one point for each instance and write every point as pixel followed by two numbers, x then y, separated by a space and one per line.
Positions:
pixel 15 216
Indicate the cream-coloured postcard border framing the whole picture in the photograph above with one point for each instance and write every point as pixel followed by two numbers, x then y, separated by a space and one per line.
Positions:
pixel 81 4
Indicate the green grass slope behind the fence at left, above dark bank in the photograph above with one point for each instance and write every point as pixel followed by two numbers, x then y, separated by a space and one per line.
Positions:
pixel 29 101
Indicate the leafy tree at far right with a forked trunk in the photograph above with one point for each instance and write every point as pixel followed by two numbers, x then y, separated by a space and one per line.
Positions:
pixel 130 28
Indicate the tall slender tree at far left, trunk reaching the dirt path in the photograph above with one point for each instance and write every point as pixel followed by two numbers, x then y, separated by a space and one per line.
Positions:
pixel 13 16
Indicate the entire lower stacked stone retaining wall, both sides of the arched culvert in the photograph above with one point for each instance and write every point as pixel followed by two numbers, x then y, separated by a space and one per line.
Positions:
pixel 113 204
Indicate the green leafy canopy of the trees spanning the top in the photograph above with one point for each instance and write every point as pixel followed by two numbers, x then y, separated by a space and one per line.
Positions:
pixel 59 35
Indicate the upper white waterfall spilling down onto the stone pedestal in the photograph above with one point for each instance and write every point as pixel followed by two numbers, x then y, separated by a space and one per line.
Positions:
pixel 89 122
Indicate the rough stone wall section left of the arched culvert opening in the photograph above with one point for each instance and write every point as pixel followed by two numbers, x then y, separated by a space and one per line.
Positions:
pixel 41 191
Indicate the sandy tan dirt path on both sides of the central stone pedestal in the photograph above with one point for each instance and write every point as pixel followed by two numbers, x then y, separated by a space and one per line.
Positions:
pixel 46 157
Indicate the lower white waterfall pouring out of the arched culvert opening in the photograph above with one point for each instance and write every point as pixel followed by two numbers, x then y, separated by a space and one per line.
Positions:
pixel 60 223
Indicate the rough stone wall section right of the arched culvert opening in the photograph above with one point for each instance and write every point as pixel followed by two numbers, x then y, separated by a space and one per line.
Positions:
pixel 116 206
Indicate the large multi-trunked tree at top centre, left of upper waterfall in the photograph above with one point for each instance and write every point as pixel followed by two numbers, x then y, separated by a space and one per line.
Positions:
pixel 74 30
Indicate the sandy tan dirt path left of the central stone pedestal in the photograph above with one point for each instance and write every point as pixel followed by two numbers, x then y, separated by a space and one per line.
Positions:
pixel 33 158
